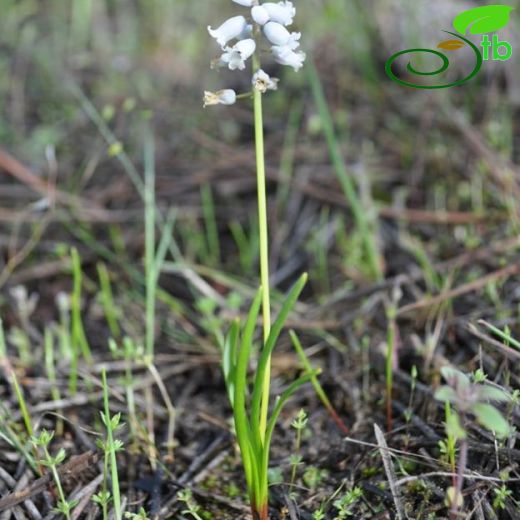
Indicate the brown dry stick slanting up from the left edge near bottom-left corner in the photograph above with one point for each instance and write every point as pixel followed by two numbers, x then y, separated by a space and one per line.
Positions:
pixel 70 470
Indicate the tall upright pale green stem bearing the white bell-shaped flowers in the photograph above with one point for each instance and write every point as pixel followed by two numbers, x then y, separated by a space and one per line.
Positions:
pixel 264 252
